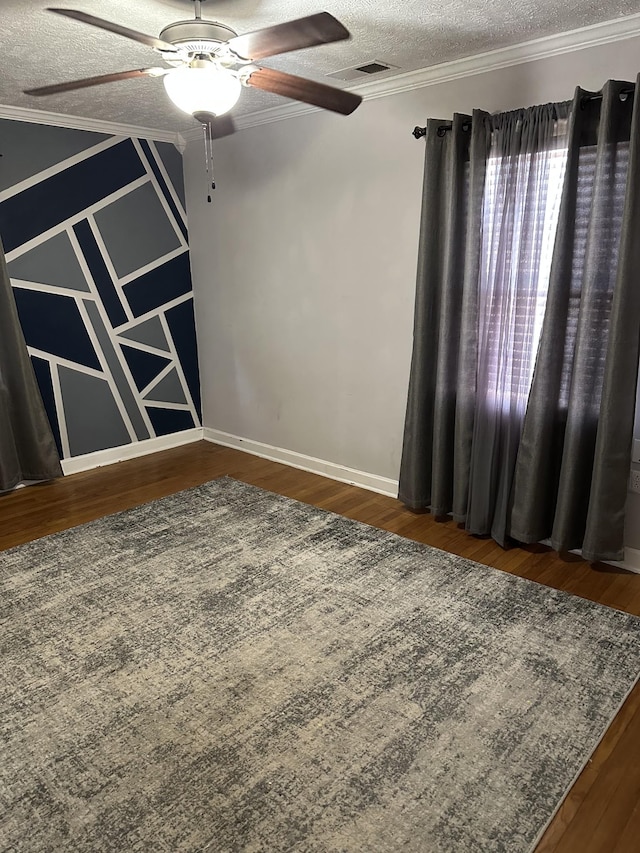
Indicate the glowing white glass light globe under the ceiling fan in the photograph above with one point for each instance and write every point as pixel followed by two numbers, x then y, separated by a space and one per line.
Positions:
pixel 203 89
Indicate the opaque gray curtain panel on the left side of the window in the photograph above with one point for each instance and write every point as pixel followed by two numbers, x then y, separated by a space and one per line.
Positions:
pixel 434 468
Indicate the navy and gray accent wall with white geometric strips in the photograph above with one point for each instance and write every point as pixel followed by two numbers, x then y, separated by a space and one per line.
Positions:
pixel 95 237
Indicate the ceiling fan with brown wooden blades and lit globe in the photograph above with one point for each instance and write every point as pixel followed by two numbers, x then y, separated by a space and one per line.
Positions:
pixel 209 64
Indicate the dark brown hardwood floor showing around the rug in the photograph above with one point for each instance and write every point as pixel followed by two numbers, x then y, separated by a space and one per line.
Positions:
pixel 601 814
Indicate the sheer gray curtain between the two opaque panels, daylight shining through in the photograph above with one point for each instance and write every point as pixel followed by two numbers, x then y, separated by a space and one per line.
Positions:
pixel 526 161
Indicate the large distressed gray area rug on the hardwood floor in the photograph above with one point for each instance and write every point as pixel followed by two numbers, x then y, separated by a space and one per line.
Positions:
pixel 228 670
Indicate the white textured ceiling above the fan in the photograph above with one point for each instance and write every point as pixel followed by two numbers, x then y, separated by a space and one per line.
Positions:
pixel 40 48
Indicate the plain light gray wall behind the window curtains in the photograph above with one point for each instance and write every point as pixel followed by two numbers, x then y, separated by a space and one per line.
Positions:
pixel 304 264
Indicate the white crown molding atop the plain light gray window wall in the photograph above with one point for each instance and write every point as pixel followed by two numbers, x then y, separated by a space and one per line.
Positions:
pixel 493 60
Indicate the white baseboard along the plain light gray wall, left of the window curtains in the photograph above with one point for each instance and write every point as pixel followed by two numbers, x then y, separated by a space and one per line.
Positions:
pixel 373 482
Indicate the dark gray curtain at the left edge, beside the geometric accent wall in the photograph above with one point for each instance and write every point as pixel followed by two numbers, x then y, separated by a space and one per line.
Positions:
pixel 27 447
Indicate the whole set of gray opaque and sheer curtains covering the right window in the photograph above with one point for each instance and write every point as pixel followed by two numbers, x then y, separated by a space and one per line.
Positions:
pixel 489 437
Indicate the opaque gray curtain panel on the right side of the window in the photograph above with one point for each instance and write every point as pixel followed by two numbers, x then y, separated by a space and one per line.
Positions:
pixel 573 464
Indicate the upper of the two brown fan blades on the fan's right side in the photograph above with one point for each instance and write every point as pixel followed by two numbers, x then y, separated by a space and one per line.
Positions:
pixel 322 28
